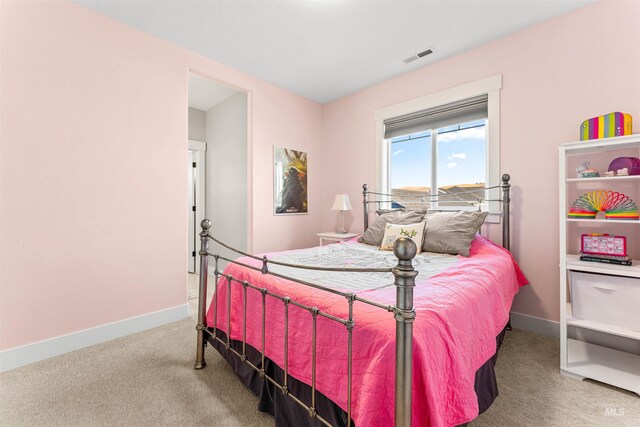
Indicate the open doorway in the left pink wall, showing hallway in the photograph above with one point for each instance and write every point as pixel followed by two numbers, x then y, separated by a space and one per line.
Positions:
pixel 217 170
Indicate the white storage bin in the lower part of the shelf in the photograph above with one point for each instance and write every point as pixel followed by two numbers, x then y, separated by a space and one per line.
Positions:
pixel 612 300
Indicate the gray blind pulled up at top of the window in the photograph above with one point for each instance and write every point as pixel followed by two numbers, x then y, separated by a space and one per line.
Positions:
pixel 466 110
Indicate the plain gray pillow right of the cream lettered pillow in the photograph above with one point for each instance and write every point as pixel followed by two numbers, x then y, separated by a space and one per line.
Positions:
pixel 452 232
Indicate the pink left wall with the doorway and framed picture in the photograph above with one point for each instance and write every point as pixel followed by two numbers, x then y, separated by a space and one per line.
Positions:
pixel 94 142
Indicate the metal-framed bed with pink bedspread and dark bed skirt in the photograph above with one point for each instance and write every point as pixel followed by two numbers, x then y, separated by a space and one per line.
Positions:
pixel 347 334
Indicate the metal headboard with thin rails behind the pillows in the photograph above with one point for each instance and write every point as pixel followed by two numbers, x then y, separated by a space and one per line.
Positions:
pixel 504 200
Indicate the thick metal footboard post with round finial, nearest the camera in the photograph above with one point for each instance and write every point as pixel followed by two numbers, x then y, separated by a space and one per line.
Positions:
pixel 405 280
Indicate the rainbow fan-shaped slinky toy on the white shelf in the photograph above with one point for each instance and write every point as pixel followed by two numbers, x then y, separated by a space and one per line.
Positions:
pixel 614 205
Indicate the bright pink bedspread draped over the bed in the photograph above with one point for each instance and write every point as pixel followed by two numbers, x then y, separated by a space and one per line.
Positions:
pixel 459 313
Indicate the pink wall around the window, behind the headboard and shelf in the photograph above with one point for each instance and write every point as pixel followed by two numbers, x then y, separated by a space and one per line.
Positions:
pixel 555 75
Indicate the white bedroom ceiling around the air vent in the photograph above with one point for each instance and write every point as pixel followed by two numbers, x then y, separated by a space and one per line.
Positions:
pixel 326 49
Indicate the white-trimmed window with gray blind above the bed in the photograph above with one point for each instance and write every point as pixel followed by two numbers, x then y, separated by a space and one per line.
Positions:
pixel 445 144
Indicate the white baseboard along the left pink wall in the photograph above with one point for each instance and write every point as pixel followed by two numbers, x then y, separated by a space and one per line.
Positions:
pixel 41 350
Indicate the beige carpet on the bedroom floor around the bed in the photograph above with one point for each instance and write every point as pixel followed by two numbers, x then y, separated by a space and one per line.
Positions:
pixel 147 379
